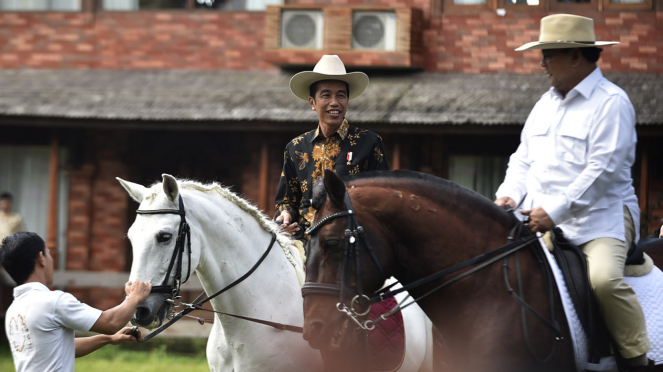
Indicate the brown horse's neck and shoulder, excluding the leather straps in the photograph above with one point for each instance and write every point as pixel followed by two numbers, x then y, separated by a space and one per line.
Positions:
pixel 430 225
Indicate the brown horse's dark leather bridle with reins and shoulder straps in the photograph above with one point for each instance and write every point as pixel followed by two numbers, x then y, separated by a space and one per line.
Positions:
pixel 518 239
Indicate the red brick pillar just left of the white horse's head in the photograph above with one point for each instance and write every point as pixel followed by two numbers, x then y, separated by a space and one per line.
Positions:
pixel 98 214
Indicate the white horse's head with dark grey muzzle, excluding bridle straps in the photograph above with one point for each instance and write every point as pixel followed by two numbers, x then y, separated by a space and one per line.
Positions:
pixel 153 238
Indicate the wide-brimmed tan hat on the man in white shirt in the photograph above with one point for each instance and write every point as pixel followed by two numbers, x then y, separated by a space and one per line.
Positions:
pixel 566 31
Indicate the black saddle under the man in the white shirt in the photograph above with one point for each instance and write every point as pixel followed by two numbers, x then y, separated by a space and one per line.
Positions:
pixel 573 264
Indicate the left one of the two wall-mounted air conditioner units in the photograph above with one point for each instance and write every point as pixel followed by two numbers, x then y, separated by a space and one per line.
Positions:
pixel 302 29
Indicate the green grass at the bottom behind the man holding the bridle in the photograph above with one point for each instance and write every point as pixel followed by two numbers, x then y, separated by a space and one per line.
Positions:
pixel 154 356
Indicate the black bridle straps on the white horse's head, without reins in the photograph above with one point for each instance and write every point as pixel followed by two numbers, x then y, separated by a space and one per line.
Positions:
pixel 184 233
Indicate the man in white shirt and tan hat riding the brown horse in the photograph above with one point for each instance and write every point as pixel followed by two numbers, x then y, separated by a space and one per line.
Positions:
pixel 573 170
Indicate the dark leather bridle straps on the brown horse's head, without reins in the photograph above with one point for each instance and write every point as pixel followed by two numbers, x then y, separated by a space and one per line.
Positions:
pixel 353 233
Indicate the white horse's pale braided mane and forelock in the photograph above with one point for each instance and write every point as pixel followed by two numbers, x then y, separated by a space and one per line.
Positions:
pixel 286 243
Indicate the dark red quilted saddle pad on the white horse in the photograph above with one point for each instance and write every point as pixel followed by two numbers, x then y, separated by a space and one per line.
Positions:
pixel 386 343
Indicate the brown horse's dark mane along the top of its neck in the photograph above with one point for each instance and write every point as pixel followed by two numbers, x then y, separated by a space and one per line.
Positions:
pixel 439 190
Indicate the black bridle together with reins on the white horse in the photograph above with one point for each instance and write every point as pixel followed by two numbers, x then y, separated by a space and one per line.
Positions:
pixel 197 304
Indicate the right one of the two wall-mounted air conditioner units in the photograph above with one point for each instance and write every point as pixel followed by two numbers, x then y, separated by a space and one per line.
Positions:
pixel 374 30
